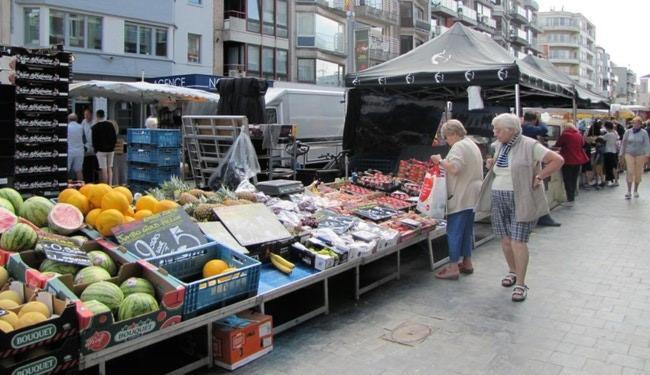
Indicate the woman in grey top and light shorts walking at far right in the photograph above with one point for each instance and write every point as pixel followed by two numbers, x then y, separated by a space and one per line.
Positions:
pixel 635 149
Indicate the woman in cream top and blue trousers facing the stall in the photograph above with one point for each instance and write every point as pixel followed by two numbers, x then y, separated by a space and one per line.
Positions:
pixel 464 167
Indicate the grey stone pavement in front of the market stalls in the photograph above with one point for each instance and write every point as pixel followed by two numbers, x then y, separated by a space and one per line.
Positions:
pixel 588 309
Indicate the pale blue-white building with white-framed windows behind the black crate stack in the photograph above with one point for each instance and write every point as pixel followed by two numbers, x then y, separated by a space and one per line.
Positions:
pixel 147 37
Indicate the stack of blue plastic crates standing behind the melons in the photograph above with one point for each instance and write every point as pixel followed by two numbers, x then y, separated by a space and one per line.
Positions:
pixel 154 156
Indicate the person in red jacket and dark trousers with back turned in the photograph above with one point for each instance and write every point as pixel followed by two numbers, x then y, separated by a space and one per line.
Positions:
pixel 570 144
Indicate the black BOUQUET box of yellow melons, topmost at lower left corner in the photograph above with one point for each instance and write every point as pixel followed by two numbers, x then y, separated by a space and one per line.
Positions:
pixel 62 324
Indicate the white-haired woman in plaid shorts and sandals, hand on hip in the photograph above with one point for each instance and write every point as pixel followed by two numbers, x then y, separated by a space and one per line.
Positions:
pixel 513 192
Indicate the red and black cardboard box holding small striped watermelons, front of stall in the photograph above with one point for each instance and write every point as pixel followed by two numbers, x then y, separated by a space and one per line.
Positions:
pixel 103 330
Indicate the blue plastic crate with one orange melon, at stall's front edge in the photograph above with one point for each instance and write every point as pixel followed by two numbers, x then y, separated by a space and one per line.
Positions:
pixel 213 292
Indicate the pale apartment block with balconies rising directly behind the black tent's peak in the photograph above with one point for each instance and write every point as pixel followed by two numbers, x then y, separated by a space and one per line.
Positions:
pixel 512 23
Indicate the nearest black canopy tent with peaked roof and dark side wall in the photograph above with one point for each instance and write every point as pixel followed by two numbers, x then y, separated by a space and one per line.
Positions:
pixel 394 108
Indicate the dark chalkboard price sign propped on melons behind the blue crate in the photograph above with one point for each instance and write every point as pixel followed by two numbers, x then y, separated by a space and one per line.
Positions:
pixel 167 232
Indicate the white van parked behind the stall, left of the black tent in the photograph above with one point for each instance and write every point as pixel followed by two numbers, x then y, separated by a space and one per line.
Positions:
pixel 317 111
